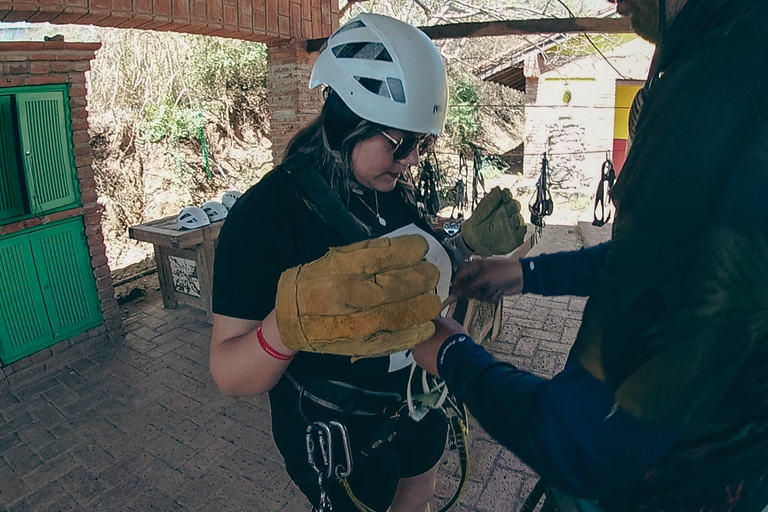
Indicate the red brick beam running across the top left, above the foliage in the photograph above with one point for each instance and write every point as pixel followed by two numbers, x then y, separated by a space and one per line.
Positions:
pixel 253 20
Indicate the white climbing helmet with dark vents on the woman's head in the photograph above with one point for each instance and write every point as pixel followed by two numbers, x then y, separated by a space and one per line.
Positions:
pixel 387 72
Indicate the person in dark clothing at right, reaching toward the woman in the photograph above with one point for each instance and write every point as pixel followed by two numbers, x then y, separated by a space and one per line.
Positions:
pixel 663 403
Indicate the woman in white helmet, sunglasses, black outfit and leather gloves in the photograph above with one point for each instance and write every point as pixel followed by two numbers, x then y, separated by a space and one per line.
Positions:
pixel 294 297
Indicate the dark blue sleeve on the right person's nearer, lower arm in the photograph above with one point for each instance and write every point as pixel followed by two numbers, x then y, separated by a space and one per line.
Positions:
pixel 566 428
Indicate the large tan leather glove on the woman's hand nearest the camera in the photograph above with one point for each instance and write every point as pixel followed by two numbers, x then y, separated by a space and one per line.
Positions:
pixel 370 298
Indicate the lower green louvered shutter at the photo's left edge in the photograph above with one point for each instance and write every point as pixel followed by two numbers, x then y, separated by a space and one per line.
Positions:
pixel 24 326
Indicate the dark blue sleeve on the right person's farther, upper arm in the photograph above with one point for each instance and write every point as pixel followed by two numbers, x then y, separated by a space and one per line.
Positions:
pixel 564 273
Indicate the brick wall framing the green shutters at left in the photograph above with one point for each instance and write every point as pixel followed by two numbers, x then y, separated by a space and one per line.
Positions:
pixel 58 62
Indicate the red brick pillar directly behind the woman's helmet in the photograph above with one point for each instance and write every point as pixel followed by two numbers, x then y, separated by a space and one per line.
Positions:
pixel 292 105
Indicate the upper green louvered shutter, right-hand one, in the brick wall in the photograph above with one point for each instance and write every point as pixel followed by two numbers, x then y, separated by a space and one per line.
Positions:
pixel 46 150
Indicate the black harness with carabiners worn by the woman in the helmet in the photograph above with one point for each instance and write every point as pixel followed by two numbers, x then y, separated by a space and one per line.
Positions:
pixel 321 437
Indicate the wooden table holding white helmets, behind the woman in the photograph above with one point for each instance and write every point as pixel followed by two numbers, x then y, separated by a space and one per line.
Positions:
pixel 184 261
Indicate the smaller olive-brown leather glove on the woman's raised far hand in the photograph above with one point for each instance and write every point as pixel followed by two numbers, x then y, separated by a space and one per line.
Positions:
pixel 496 226
